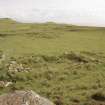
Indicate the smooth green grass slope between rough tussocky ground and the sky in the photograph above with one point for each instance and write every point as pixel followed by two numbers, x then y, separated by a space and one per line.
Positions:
pixel 49 38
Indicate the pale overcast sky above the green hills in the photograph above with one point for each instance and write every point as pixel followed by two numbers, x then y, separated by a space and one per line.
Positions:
pixel 78 12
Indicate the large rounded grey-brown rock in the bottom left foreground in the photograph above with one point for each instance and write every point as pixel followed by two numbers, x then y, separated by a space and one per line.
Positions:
pixel 23 98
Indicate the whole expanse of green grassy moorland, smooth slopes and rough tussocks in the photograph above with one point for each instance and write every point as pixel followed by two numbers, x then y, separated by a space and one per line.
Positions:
pixel 66 61
